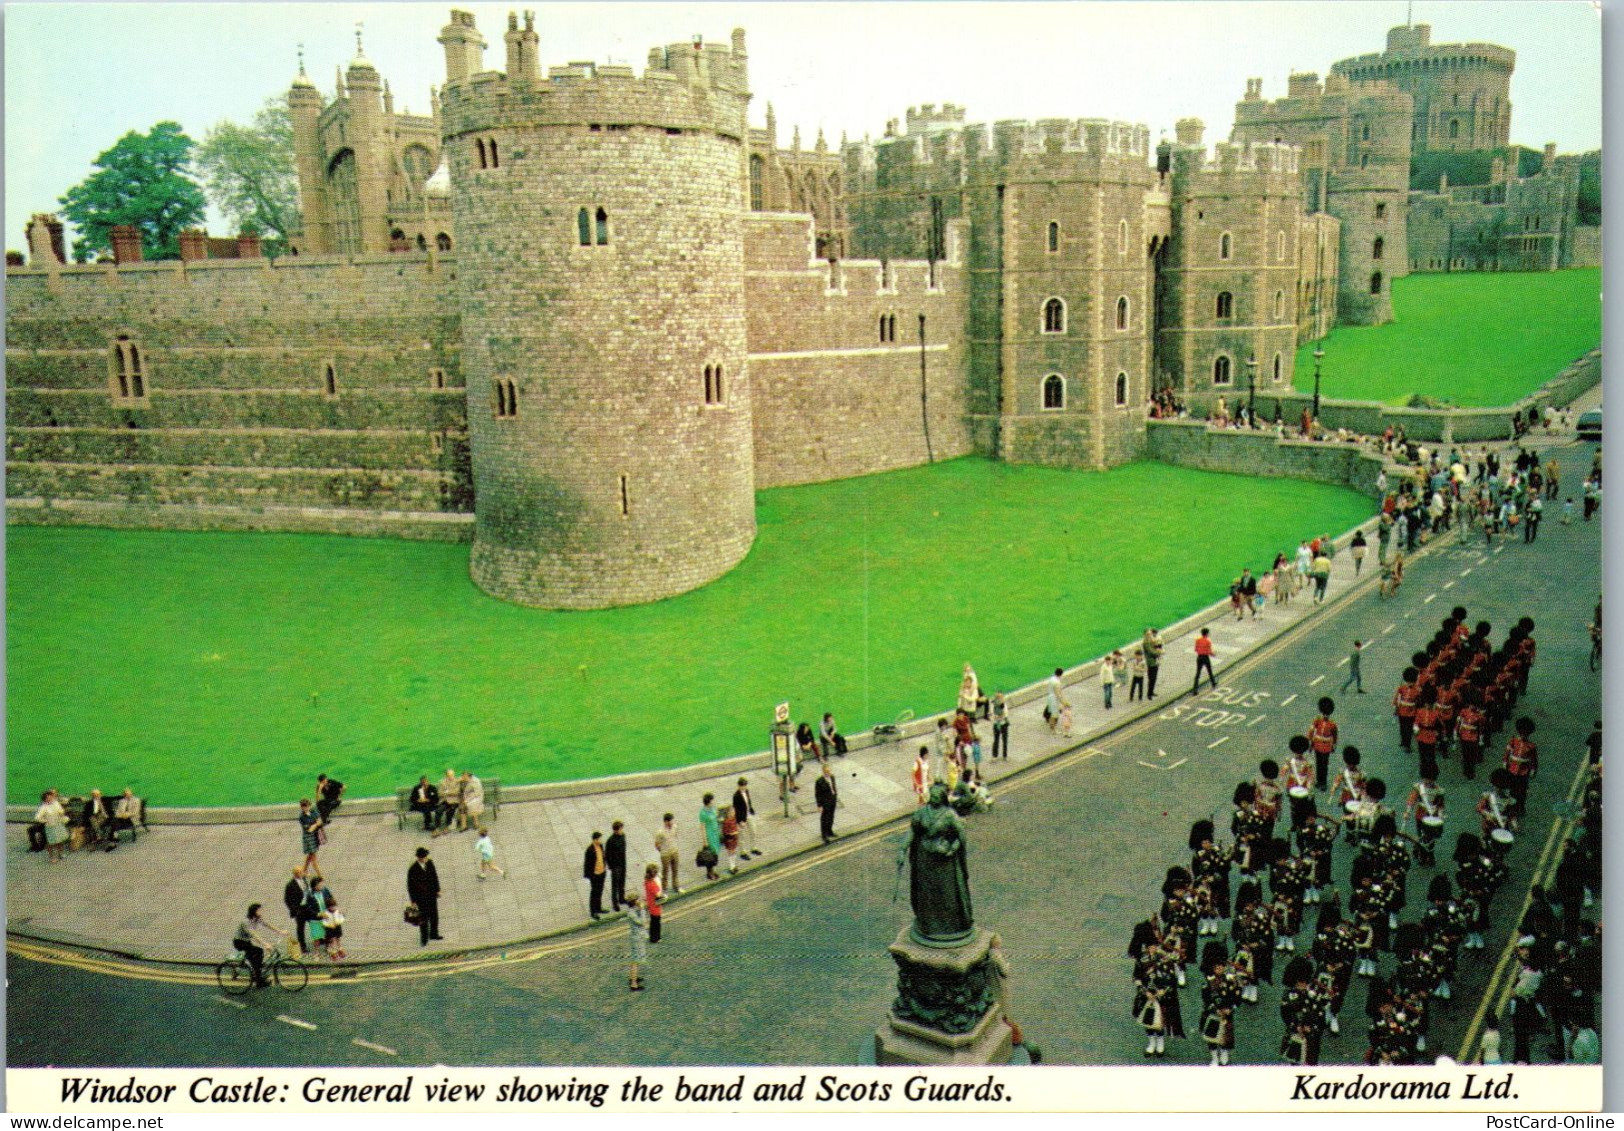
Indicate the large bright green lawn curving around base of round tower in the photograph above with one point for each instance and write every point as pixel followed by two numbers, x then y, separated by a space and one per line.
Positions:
pixel 212 669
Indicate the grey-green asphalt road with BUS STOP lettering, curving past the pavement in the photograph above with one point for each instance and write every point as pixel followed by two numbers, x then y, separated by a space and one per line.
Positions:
pixel 790 966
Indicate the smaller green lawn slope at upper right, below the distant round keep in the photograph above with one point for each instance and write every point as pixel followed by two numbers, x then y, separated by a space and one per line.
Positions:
pixel 1474 340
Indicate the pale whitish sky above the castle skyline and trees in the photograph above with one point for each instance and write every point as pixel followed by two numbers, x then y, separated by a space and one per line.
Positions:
pixel 77 77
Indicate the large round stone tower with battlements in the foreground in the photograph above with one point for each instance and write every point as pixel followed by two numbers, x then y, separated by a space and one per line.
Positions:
pixel 602 277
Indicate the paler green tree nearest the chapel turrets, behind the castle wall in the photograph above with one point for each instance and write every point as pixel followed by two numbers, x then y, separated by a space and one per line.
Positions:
pixel 249 173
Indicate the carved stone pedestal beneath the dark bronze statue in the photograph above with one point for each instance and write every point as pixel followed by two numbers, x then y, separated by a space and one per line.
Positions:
pixel 949 1005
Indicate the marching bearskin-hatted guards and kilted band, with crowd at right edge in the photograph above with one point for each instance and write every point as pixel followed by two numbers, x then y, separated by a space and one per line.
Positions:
pixel 1274 883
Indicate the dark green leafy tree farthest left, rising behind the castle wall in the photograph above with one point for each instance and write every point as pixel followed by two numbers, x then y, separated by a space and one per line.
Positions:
pixel 142 181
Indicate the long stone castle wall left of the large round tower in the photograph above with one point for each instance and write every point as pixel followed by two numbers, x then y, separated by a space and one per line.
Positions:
pixel 235 405
